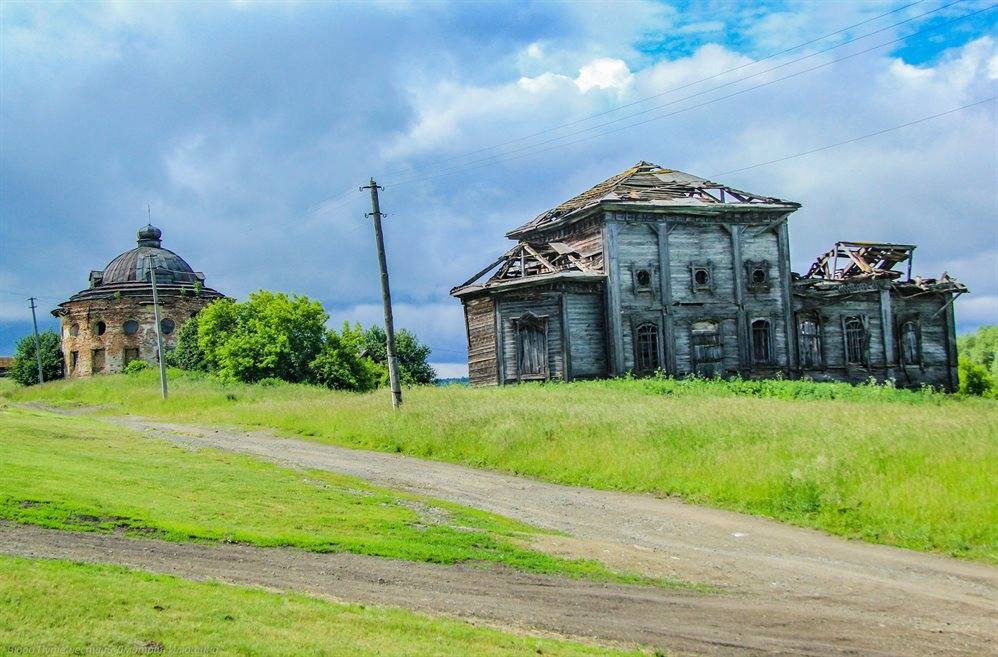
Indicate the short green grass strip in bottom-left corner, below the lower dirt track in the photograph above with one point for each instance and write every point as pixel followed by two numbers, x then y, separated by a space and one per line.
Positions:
pixel 57 608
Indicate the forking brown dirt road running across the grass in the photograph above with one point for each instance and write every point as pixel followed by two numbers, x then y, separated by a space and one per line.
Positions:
pixel 787 590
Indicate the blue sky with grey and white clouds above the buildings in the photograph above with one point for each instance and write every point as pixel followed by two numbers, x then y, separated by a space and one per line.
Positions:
pixel 246 128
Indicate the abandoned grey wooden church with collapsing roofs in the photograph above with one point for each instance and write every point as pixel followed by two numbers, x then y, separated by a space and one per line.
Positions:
pixel 655 269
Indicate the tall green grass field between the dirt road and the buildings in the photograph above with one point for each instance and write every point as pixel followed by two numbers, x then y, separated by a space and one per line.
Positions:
pixel 912 469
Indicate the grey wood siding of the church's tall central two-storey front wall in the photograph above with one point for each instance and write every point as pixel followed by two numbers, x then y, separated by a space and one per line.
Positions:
pixel 671 248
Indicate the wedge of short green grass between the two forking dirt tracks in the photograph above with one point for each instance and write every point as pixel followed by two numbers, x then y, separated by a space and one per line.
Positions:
pixel 80 474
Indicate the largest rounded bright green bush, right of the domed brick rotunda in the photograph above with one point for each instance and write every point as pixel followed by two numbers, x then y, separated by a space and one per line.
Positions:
pixel 271 335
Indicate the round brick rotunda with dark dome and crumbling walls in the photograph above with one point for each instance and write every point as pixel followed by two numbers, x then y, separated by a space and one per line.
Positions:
pixel 111 323
